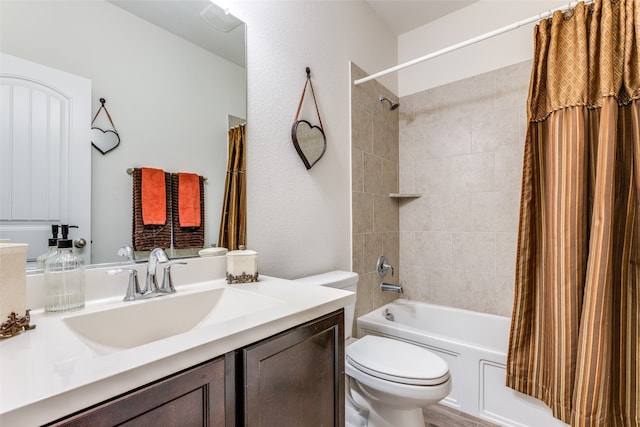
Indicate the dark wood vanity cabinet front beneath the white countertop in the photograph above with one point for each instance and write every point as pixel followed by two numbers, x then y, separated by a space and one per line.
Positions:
pixel 295 378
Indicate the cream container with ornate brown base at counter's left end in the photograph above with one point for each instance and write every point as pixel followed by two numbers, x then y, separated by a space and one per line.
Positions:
pixel 13 279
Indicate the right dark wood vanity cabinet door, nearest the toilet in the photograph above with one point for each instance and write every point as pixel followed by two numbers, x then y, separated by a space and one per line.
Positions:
pixel 296 378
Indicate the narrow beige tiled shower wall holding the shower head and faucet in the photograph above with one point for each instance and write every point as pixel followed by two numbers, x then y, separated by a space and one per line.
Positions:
pixel 375 175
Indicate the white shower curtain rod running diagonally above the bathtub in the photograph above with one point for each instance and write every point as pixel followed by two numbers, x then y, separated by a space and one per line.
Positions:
pixel 469 42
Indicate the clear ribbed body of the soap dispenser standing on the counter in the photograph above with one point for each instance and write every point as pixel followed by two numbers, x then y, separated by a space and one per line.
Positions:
pixel 64 280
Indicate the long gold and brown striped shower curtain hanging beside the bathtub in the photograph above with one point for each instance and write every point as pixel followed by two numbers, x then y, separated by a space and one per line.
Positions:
pixel 575 334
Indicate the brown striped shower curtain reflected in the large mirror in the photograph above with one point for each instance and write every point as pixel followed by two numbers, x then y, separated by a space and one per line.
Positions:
pixel 233 221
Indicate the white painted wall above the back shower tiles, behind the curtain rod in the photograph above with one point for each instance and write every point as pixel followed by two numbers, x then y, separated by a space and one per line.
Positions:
pixel 479 18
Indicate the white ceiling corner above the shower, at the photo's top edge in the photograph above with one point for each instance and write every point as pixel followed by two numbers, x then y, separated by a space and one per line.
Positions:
pixel 401 16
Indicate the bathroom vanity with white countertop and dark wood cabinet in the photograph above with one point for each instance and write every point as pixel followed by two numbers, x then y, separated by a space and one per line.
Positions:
pixel 279 362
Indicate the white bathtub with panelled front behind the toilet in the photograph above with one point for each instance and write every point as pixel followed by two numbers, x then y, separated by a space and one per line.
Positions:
pixel 475 347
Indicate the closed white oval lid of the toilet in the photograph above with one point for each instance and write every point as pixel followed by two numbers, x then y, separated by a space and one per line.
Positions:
pixel 397 361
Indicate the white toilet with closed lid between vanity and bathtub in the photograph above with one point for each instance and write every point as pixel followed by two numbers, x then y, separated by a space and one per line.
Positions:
pixel 390 379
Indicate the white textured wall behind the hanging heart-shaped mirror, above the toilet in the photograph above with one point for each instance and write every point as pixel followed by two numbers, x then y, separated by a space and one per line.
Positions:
pixel 299 221
